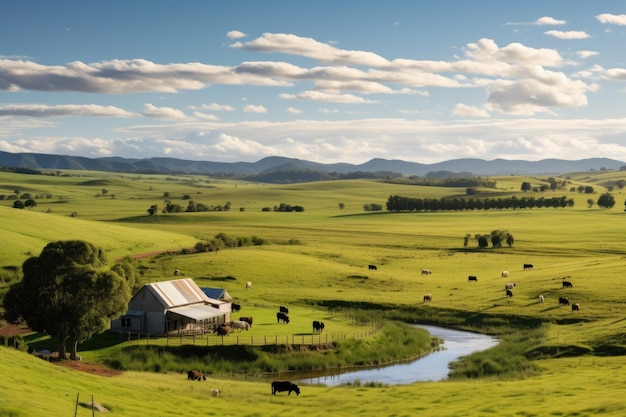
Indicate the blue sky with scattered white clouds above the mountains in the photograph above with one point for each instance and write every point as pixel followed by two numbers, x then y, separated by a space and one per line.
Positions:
pixel 326 81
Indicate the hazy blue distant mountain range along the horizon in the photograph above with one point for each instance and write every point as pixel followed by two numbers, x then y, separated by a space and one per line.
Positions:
pixel 476 167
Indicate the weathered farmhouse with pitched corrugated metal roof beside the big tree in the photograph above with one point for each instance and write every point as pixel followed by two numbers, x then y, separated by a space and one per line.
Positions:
pixel 172 307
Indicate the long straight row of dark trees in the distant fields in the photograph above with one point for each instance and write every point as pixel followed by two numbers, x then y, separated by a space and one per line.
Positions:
pixel 401 204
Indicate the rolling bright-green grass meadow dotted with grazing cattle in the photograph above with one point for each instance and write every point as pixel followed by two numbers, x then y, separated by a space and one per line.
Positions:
pixel 316 261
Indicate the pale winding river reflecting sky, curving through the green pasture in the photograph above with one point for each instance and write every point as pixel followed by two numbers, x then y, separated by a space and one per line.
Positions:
pixel 433 367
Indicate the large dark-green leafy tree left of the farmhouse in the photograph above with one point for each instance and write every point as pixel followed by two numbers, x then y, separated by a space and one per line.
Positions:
pixel 68 293
